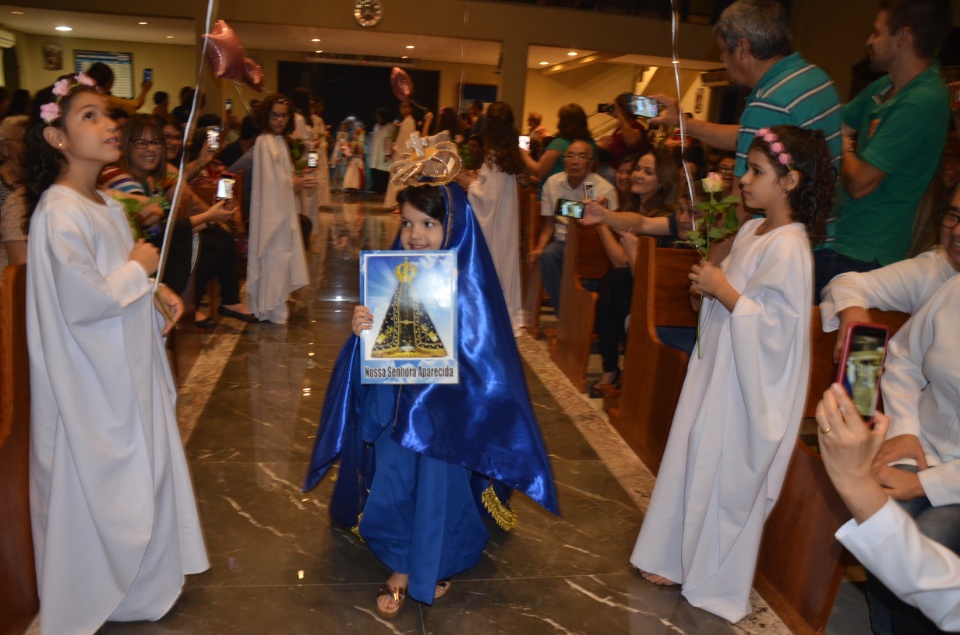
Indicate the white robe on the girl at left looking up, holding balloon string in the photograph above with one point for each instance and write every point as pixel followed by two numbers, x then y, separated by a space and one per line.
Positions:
pixel 115 524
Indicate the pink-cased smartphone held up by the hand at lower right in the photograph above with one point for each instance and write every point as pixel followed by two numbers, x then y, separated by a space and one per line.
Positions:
pixel 861 364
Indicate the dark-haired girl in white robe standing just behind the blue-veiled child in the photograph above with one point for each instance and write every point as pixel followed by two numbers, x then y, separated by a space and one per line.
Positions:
pixel 493 197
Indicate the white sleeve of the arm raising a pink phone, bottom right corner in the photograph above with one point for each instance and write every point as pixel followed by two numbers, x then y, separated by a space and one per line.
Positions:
pixel 920 571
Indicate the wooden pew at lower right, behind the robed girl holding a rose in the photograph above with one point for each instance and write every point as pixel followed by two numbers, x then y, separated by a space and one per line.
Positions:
pixel 799 567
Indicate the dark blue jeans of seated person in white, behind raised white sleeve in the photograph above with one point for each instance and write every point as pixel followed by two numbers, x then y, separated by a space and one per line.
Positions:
pixel 888 614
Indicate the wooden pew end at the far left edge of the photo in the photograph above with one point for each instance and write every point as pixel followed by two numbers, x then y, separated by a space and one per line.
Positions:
pixel 18 598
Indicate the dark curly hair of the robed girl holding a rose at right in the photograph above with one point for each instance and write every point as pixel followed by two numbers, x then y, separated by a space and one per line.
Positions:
pixel 812 199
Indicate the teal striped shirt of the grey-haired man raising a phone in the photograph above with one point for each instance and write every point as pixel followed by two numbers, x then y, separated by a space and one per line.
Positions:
pixel 794 92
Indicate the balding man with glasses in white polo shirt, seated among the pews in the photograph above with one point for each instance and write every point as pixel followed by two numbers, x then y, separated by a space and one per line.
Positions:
pixel 572 185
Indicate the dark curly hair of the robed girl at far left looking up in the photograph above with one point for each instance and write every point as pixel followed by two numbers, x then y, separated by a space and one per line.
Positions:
pixel 43 162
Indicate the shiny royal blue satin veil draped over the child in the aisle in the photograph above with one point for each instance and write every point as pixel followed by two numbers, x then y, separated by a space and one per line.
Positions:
pixel 485 423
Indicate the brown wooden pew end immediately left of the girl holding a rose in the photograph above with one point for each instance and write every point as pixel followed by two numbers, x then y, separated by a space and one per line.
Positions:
pixel 653 373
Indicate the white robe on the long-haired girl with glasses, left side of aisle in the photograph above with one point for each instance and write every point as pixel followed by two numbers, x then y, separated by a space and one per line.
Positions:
pixel 276 263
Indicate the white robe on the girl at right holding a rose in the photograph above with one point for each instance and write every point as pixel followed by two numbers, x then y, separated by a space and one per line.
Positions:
pixel 735 427
